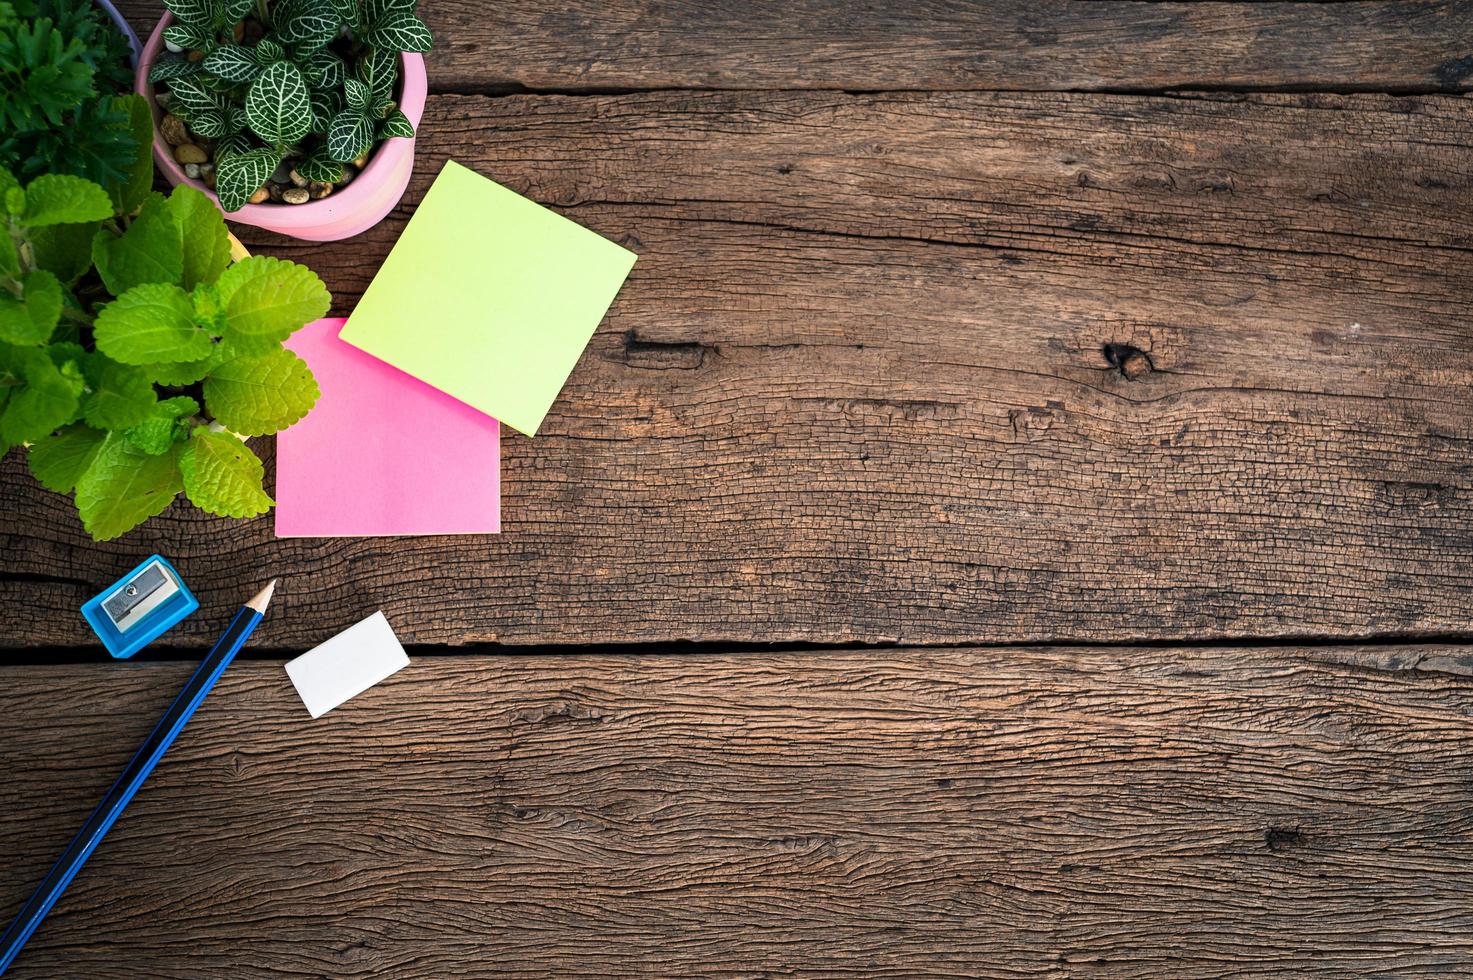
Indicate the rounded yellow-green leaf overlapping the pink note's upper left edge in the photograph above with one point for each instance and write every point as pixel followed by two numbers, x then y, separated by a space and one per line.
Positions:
pixel 257 396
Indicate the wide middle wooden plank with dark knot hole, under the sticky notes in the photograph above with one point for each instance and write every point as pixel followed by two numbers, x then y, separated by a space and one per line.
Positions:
pixel 859 384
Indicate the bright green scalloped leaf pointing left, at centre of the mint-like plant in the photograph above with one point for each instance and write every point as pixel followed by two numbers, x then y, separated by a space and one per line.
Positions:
pixel 151 325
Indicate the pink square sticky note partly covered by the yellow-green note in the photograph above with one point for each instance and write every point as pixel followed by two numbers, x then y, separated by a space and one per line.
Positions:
pixel 382 453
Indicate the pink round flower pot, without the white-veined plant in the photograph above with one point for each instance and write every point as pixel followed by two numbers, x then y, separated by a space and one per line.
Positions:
pixel 345 213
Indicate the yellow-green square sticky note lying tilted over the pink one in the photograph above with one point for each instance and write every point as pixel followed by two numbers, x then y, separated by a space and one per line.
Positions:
pixel 490 297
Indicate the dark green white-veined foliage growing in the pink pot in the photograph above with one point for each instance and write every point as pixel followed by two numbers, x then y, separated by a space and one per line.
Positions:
pixel 301 83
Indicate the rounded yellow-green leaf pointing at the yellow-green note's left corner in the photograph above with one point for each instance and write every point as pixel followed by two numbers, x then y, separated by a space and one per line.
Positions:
pixel 266 300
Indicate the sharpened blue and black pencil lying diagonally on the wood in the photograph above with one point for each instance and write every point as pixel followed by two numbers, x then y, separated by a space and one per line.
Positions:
pixel 133 777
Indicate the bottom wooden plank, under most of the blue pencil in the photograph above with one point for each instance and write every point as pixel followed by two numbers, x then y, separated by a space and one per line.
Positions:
pixel 1091 813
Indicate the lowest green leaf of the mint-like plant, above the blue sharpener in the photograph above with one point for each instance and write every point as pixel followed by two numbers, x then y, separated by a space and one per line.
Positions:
pixel 124 487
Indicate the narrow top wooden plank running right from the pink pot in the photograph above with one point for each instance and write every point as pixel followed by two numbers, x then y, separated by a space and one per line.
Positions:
pixel 942 45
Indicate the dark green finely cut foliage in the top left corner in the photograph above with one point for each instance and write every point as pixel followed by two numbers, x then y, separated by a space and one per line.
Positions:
pixel 66 73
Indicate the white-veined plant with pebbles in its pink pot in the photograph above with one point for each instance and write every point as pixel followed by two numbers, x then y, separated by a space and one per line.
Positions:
pixel 297 116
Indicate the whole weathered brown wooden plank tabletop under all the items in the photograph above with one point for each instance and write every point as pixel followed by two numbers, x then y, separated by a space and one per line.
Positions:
pixel 1017 521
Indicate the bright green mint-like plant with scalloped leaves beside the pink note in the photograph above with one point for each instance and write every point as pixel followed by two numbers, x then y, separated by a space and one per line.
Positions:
pixel 135 356
